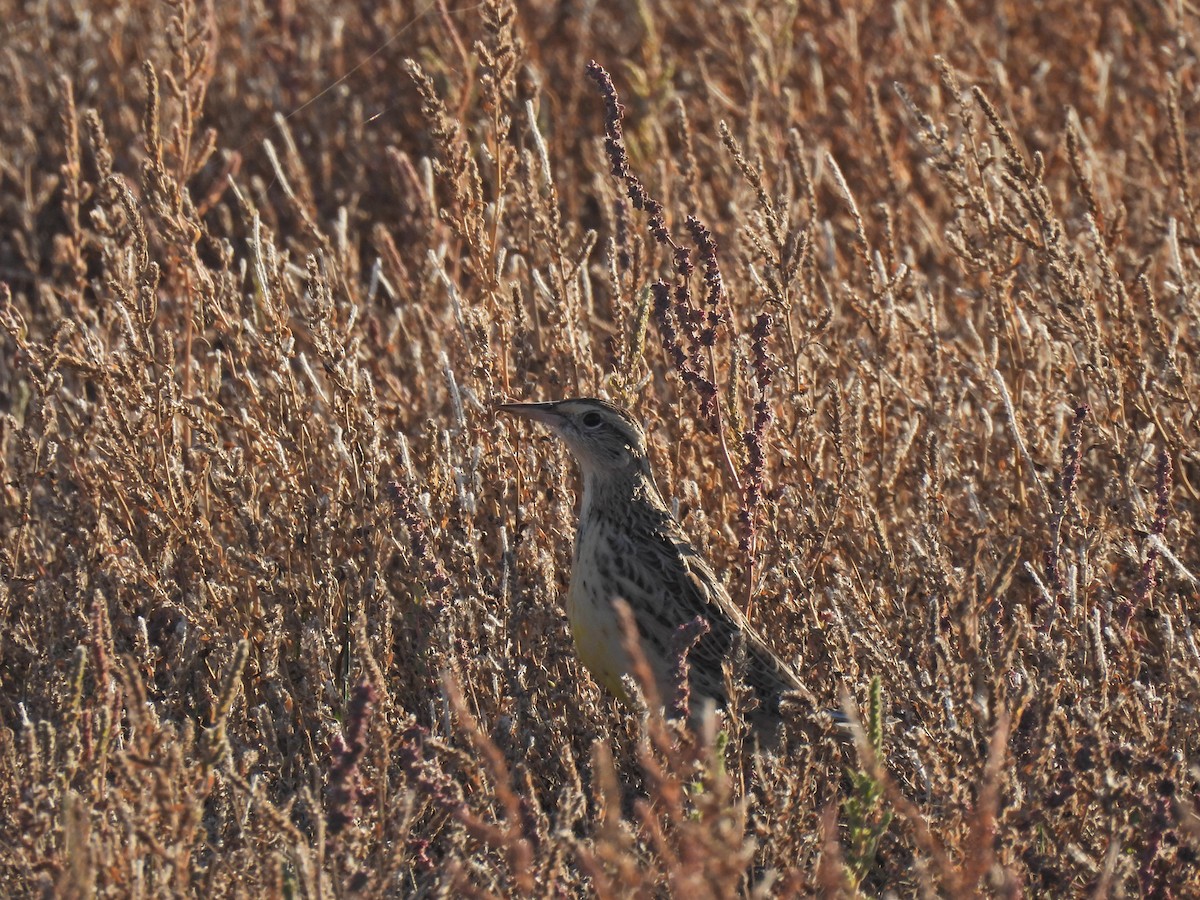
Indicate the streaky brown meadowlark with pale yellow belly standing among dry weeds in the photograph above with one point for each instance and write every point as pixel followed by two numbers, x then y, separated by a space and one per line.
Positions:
pixel 629 547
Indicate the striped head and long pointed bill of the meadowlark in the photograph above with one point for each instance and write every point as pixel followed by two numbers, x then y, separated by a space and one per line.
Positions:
pixel 605 440
